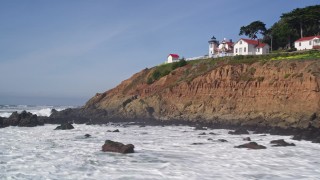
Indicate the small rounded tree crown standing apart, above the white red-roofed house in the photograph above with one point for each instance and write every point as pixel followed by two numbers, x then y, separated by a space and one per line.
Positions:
pixel 253 29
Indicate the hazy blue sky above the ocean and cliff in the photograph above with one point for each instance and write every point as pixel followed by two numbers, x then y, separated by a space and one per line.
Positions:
pixel 63 52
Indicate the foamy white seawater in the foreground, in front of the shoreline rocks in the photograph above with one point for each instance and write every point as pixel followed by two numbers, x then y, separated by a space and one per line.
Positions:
pixel 170 152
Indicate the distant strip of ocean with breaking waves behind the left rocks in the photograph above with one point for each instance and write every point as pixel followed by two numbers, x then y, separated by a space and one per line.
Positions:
pixel 7 110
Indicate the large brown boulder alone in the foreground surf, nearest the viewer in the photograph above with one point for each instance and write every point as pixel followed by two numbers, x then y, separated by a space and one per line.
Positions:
pixel 112 146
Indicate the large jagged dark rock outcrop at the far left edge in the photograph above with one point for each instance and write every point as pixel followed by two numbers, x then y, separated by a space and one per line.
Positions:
pixel 25 119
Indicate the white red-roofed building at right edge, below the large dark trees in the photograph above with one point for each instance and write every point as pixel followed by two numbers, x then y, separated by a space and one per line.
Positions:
pixel 311 42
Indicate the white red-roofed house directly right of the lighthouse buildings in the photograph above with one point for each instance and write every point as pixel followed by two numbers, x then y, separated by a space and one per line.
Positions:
pixel 250 47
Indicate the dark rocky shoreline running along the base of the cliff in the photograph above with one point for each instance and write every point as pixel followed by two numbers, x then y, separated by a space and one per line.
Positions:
pixel 81 116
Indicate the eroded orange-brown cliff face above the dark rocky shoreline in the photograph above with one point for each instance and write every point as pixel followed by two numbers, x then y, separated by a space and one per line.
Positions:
pixel 273 93
